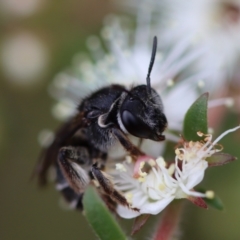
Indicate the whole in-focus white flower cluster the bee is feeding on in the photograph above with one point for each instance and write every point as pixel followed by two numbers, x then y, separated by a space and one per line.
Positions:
pixel 151 185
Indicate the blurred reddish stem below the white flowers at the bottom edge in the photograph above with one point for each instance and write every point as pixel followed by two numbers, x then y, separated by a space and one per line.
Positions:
pixel 169 222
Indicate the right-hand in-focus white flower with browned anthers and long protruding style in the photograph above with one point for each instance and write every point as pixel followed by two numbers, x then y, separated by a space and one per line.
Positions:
pixel 192 157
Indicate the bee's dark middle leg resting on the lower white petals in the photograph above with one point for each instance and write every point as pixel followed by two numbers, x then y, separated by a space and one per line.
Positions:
pixel 108 187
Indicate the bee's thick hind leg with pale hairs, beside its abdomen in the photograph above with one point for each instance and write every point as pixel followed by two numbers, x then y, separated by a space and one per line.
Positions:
pixel 69 160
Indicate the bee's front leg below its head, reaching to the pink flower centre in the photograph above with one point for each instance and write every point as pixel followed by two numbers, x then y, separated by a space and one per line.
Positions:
pixel 126 143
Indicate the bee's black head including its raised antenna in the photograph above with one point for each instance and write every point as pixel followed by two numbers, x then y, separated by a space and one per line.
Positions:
pixel 141 110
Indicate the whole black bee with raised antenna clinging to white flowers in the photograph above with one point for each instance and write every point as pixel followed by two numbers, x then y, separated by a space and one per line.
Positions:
pixel 79 151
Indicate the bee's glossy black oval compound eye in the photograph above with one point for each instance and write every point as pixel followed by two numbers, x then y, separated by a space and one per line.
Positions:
pixel 135 125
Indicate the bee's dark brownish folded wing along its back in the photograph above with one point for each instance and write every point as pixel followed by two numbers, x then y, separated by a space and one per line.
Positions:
pixel 50 154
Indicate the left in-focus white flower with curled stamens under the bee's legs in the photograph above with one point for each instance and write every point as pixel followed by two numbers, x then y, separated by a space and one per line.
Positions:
pixel 149 192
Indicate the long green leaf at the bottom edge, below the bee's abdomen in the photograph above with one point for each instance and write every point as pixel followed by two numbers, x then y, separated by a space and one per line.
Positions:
pixel 100 218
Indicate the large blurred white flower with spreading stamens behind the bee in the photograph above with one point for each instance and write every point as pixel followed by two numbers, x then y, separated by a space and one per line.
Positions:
pixel 126 62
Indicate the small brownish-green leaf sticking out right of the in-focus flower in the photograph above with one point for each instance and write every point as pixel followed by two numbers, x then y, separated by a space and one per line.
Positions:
pixel 218 159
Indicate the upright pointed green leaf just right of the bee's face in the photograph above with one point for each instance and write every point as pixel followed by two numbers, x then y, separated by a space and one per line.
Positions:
pixel 196 119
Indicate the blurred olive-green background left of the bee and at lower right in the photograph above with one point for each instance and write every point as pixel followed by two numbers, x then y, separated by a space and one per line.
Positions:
pixel 59 30
